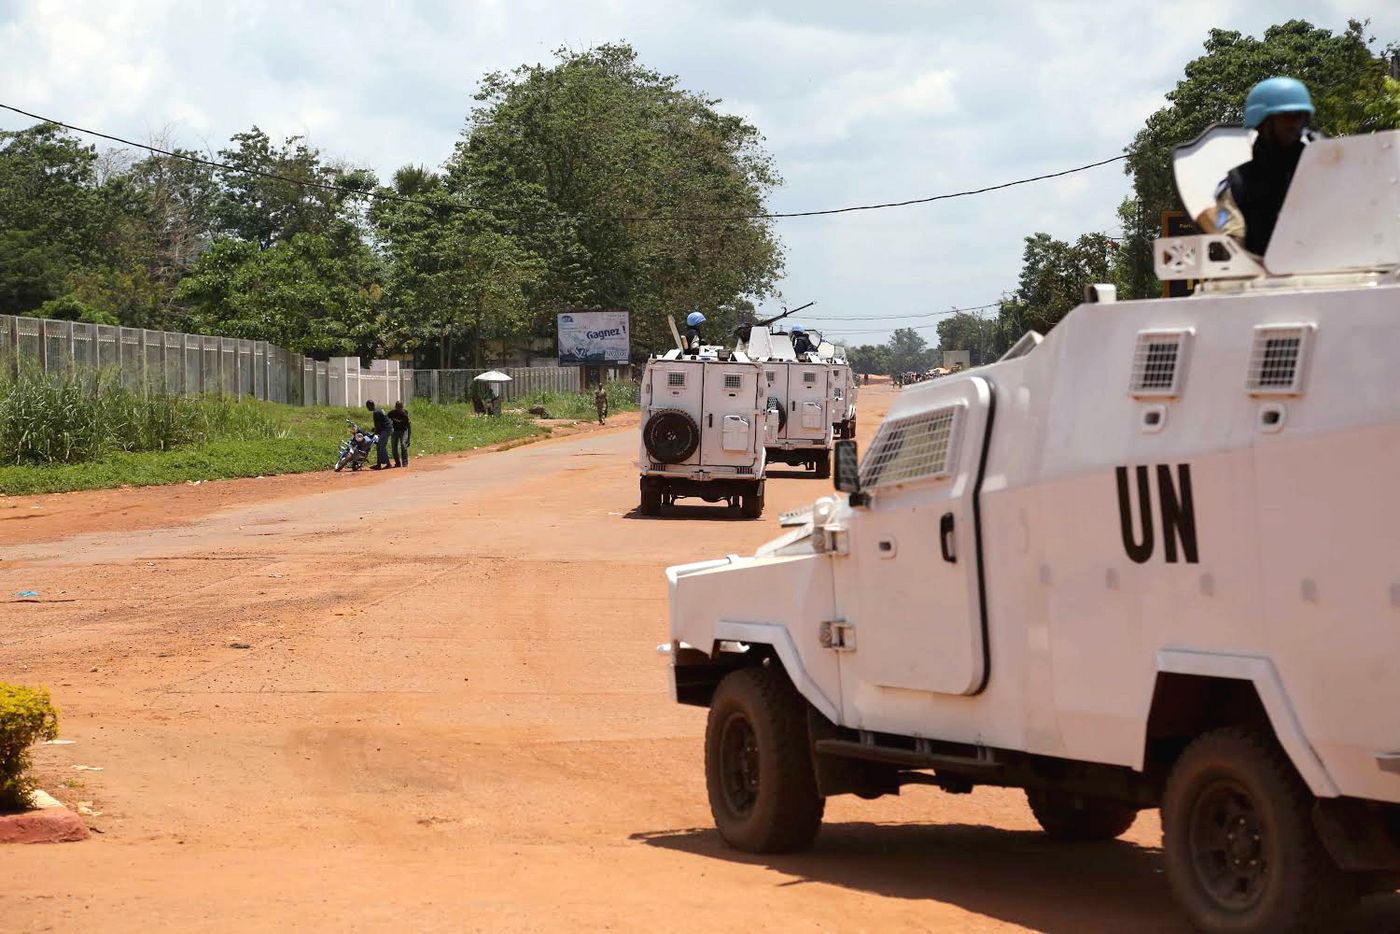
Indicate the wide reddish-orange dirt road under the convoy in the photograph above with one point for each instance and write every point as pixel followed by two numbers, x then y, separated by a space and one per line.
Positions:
pixel 450 718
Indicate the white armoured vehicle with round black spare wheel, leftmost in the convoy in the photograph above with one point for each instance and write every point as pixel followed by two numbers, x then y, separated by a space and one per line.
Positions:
pixel 703 429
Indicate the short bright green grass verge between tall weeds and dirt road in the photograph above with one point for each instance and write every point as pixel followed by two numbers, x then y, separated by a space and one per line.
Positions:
pixel 257 439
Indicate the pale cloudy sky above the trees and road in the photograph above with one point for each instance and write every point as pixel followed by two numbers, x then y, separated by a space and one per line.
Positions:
pixel 860 103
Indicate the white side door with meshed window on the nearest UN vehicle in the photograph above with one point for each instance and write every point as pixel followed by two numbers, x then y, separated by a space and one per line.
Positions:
pixel 911 586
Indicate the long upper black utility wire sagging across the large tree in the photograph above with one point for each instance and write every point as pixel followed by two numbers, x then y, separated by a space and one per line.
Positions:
pixel 356 193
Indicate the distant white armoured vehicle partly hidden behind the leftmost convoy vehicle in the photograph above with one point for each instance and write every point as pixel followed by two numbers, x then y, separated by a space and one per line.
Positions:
pixel 801 391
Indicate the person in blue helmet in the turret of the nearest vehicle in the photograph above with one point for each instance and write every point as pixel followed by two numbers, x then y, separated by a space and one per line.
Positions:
pixel 1249 200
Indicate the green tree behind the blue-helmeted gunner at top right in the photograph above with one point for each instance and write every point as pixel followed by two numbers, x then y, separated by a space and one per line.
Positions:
pixel 1349 83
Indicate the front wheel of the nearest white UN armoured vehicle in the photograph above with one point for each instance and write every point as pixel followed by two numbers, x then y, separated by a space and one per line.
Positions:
pixel 758 764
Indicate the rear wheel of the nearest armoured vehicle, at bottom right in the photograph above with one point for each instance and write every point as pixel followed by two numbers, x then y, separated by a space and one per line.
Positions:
pixel 1240 842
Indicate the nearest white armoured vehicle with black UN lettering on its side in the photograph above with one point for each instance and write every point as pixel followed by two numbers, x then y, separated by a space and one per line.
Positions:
pixel 1151 561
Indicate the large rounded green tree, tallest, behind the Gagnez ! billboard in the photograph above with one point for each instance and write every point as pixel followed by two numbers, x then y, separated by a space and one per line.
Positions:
pixel 603 170
